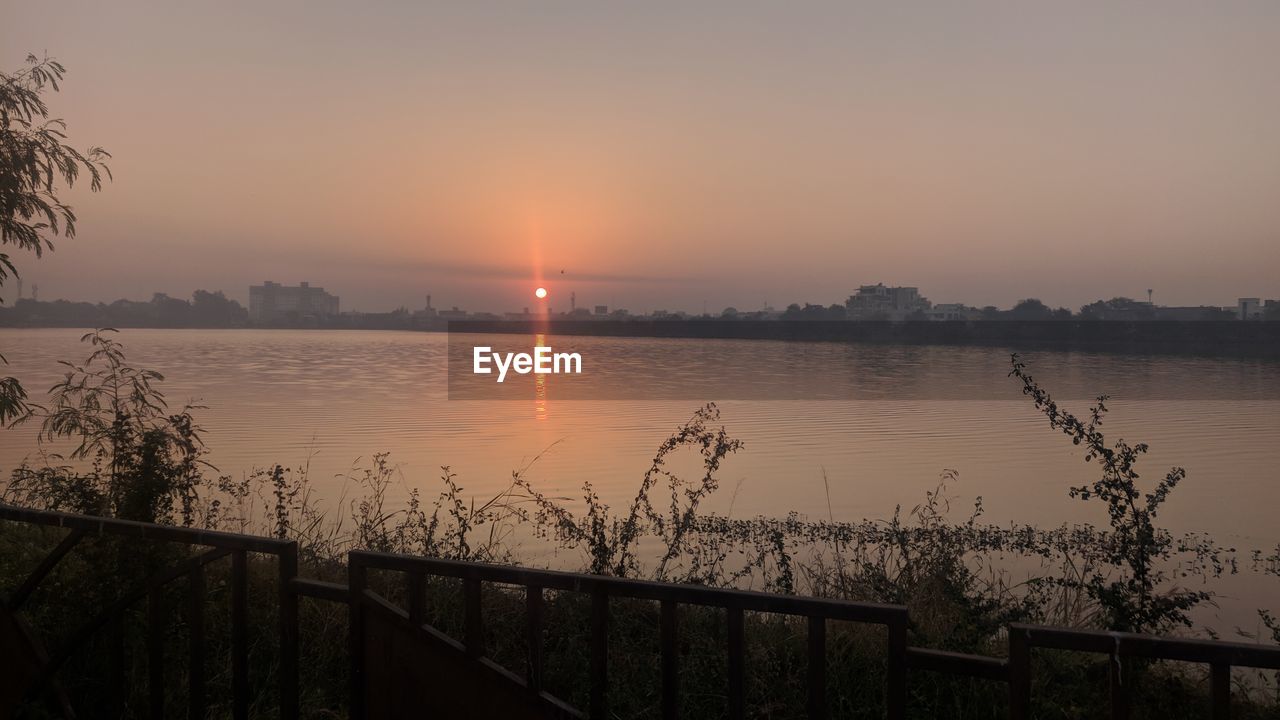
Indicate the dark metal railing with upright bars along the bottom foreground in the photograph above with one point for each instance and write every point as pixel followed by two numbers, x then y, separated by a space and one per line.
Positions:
pixel 1016 671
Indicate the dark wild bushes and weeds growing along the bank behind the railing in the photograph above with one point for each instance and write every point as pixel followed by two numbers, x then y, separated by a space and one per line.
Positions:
pixel 127 455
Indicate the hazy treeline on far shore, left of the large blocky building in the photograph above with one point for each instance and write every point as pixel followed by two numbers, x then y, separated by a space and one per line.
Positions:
pixel 204 311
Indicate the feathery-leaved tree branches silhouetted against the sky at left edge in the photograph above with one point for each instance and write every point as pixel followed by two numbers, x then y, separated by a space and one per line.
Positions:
pixel 35 162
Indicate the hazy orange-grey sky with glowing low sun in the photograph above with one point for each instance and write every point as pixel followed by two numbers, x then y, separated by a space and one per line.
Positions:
pixel 668 154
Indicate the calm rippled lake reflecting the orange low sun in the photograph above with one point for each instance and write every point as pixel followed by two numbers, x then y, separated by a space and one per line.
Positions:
pixel 332 398
